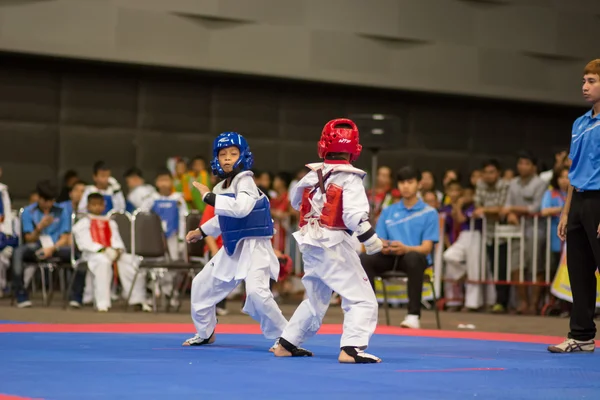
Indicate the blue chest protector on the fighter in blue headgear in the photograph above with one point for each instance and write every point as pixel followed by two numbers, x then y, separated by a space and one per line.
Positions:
pixel 256 224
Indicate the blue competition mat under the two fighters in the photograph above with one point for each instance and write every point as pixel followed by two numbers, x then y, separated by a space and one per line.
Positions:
pixel 66 366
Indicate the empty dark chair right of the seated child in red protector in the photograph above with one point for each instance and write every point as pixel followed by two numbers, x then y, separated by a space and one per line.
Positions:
pixel 148 242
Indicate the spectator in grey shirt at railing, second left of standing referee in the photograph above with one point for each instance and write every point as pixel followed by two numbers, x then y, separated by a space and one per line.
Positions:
pixel 524 199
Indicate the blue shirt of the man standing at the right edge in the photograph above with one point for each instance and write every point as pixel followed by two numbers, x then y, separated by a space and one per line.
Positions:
pixel 585 153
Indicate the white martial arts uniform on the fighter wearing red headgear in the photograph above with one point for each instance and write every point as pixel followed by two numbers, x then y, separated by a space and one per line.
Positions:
pixel 331 262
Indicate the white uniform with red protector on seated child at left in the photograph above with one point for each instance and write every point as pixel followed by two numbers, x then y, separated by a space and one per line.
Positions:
pixel 94 233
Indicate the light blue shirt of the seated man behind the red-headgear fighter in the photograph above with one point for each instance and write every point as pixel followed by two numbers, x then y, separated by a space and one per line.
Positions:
pixel 411 226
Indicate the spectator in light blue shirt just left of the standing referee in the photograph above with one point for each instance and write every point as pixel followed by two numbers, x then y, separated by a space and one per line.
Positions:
pixel 552 205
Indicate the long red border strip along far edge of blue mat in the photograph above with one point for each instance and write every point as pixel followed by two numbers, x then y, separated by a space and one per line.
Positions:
pixel 253 329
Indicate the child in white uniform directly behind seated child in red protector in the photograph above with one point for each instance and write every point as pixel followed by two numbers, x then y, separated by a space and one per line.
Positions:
pixel 107 186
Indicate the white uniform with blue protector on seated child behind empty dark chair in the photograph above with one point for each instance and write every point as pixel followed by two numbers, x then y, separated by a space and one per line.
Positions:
pixel 172 211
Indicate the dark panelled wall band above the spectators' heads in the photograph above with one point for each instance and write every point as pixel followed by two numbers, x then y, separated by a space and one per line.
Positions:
pixel 59 114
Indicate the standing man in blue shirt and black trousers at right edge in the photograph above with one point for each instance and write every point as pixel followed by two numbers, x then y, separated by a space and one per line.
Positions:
pixel 580 220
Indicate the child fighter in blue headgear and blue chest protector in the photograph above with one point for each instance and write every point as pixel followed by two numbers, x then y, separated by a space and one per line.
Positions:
pixel 243 219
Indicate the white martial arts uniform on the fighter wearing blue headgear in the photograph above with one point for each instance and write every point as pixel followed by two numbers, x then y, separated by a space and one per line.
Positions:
pixel 253 261
